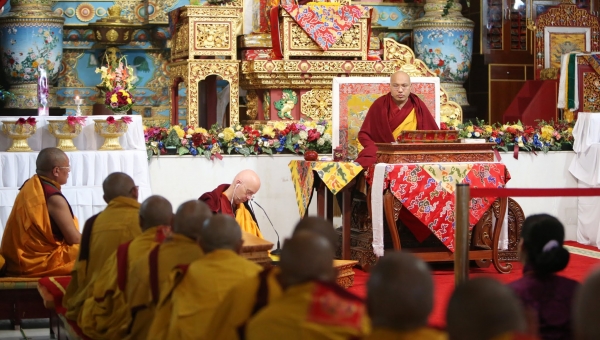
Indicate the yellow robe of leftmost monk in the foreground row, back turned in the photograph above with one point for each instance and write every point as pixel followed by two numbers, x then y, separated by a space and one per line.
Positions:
pixel 117 224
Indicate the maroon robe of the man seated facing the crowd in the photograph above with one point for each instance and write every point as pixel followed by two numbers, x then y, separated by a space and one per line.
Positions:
pixel 382 119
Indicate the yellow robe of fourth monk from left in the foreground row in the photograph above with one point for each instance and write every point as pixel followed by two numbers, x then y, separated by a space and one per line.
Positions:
pixel 190 298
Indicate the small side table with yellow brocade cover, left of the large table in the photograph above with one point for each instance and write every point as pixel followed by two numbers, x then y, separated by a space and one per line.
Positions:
pixel 336 177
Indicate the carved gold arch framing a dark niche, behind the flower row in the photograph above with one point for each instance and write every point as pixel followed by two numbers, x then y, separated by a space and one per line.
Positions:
pixel 193 71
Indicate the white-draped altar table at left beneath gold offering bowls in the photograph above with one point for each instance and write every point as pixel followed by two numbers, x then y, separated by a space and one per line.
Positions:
pixel 89 167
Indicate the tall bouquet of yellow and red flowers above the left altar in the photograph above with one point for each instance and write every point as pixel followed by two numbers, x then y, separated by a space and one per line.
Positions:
pixel 117 84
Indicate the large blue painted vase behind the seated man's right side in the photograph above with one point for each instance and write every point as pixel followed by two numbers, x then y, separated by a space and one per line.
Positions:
pixel 445 44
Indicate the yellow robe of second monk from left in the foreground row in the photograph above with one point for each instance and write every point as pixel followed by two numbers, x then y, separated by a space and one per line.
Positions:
pixel 105 314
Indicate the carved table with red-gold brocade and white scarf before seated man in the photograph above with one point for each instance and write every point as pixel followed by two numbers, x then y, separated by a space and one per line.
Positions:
pixel 427 191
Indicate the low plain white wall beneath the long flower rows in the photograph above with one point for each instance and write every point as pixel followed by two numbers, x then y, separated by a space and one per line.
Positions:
pixel 184 178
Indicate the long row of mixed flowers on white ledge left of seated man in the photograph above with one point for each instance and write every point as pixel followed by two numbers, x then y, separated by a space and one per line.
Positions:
pixel 246 140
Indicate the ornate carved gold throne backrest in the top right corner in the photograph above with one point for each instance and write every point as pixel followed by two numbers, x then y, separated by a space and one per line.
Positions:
pixel 563 29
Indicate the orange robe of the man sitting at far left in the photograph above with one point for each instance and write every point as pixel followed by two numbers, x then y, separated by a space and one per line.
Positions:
pixel 28 245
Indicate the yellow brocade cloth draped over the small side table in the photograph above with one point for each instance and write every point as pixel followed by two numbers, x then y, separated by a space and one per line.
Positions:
pixel 335 175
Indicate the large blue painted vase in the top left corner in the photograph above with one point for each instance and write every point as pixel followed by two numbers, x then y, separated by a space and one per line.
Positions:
pixel 30 36
